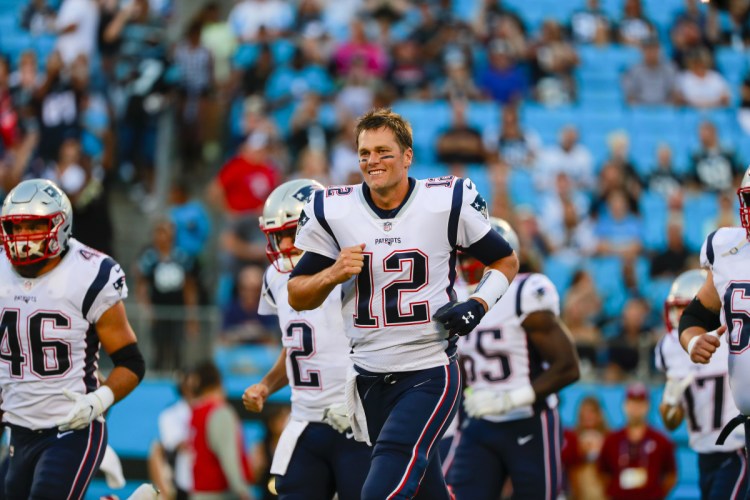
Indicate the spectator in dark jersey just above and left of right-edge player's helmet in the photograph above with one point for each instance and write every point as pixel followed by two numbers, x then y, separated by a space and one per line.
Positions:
pixel 713 167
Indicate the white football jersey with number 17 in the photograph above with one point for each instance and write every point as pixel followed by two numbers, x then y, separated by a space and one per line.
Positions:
pixel 707 402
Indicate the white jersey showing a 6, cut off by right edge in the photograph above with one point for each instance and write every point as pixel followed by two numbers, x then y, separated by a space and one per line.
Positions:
pixel 727 254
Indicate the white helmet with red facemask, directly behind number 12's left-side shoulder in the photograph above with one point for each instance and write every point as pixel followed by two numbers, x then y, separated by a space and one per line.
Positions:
pixel 279 220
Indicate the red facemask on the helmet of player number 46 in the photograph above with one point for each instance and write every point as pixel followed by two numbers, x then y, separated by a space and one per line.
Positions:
pixel 32 246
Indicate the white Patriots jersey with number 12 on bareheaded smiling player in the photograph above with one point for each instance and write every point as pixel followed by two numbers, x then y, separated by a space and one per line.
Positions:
pixel 410 266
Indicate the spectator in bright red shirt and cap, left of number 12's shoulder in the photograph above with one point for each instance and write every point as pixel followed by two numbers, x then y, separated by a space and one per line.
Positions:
pixel 245 181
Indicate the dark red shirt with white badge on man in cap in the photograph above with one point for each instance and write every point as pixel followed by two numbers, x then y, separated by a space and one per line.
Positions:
pixel 637 470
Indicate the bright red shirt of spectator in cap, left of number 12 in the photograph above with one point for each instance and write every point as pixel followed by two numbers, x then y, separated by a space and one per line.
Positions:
pixel 246 185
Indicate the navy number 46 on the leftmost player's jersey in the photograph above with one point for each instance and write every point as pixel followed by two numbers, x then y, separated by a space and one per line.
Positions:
pixel 12 353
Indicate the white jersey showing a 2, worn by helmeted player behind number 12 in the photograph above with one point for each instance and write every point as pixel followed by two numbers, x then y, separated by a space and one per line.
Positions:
pixel 317 350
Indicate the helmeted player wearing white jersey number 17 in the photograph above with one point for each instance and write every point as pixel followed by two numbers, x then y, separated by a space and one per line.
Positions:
pixel 700 392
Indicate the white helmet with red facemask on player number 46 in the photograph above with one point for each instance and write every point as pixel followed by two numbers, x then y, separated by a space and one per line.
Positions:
pixel 36 200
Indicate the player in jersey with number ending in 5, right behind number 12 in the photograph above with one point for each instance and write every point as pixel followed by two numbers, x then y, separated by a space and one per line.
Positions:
pixel 515 361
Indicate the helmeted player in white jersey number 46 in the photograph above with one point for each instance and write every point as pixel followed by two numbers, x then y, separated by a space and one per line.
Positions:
pixel 60 301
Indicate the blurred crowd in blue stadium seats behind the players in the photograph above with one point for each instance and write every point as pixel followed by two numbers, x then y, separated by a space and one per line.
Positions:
pixel 610 133
